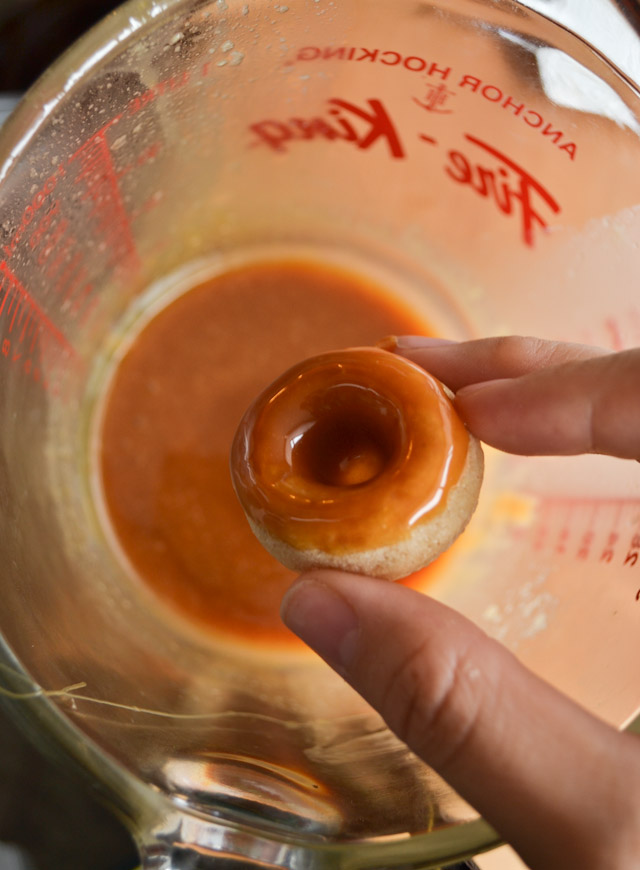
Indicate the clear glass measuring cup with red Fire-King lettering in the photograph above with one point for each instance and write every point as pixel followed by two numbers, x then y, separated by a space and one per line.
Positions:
pixel 459 151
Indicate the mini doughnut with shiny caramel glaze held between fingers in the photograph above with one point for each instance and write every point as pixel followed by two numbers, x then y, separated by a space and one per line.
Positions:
pixel 357 460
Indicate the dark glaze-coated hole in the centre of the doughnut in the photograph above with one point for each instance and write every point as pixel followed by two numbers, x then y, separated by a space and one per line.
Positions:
pixel 355 435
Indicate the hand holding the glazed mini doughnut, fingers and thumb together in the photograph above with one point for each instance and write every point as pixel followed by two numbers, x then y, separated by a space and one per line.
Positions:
pixel 558 784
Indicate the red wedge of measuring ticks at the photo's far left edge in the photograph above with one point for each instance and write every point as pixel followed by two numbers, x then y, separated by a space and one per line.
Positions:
pixel 25 313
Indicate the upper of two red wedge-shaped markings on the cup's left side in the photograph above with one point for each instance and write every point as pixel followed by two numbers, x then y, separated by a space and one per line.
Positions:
pixel 100 181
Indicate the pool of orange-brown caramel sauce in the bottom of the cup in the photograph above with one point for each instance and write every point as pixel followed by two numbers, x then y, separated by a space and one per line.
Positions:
pixel 173 406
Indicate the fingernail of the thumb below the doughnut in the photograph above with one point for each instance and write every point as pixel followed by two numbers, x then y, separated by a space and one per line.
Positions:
pixel 324 620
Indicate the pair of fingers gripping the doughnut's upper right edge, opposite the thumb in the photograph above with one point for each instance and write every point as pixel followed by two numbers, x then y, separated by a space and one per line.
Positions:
pixel 534 397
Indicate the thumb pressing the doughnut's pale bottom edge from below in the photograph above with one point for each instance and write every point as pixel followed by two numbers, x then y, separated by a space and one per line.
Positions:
pixel 558 784
